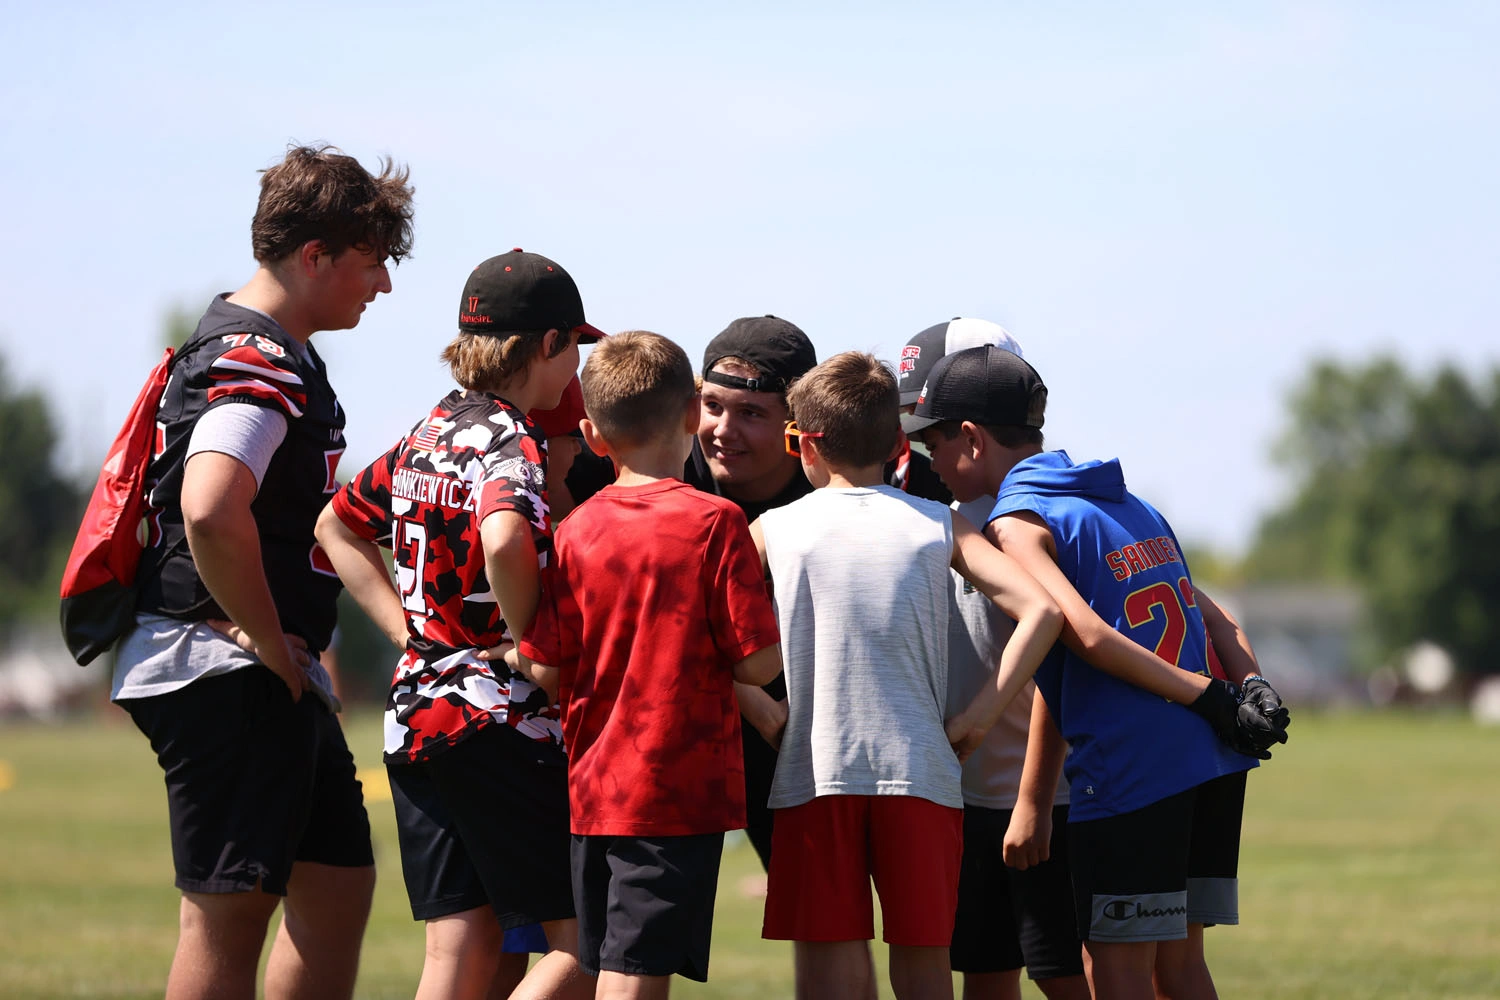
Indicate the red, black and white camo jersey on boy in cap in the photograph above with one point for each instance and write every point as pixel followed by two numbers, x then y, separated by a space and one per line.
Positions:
pixel 425 499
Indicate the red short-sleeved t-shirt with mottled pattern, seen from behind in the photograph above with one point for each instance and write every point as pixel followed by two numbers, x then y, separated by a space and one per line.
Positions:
pixel 655 594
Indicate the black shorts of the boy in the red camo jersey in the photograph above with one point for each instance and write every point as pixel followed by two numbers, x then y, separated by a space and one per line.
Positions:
pixel 485 822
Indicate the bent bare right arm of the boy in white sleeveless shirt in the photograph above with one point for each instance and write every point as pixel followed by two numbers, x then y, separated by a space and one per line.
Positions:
pixel 1039 621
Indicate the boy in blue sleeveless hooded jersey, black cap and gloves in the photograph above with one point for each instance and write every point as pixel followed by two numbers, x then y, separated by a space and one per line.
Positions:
pixel 1154 822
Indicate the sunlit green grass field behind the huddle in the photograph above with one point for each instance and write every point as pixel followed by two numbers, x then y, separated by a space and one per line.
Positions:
pixel 1372 869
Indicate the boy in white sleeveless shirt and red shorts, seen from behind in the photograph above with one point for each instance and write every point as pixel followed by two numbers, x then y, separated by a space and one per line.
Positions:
pixel 869 780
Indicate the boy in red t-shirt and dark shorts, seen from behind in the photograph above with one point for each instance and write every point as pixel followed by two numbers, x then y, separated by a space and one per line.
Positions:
pixel 655 606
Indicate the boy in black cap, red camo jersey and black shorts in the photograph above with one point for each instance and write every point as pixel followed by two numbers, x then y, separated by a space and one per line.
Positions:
pixel 475 752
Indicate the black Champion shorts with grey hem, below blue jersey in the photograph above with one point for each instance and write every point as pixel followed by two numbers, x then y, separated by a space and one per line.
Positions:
pixel 1145 876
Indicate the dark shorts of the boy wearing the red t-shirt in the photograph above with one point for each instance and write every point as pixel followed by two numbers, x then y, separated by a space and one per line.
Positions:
pixel 646 906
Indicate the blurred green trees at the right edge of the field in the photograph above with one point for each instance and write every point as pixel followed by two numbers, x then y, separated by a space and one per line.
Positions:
pixel 1397 494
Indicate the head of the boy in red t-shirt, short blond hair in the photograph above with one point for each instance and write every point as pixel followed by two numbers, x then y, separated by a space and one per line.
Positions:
pixel 637 388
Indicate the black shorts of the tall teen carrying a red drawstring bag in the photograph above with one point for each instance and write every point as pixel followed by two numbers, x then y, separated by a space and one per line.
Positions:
pixel 256 782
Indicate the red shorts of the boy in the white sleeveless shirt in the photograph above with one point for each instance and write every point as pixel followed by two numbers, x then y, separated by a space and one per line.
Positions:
pixel 826 852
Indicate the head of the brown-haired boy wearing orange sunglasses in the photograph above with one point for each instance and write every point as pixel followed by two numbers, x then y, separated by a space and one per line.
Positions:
pixel 853 403
